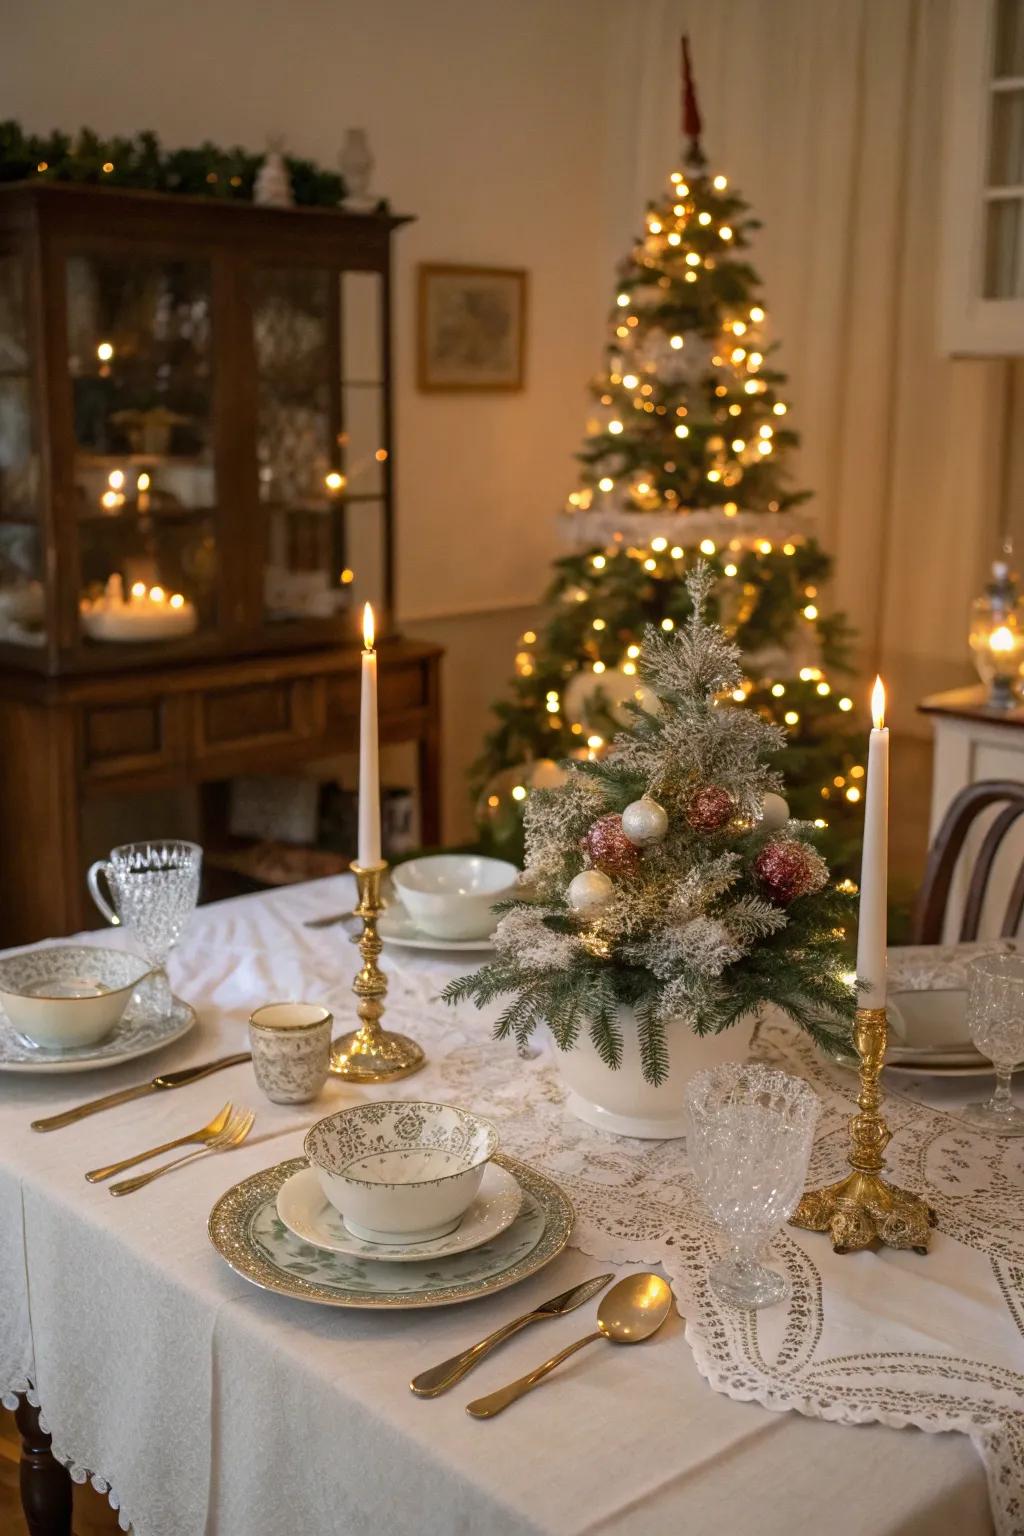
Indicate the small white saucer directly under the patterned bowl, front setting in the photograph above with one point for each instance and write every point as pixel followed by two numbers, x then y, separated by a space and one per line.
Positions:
pixel 311 1217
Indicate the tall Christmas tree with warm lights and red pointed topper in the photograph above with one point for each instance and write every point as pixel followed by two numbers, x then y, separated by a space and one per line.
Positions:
pixel 685 458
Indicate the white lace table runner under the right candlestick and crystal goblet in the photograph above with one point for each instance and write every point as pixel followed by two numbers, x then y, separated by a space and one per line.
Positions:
pixel 931 1342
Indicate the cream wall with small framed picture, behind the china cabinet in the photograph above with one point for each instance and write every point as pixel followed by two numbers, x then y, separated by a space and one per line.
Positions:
pixel 487 122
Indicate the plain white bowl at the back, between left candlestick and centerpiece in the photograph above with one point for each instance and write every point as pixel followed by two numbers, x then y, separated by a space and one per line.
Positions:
pixel 451 896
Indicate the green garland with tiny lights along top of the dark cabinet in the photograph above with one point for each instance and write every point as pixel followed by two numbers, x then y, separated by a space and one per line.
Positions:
pixel 144 164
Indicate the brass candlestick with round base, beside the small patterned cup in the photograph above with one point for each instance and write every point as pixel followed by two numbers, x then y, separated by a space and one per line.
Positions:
pixel 372 1054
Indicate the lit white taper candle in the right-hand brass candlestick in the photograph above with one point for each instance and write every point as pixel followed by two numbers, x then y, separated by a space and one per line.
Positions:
pixel 874 870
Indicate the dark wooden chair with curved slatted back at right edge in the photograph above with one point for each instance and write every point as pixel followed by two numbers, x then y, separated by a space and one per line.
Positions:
pixel 963 812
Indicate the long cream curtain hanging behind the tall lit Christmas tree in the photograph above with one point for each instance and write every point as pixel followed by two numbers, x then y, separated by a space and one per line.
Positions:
pixel 828 116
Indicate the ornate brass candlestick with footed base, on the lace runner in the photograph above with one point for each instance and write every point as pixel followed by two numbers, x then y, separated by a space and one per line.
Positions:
pixel 864 1208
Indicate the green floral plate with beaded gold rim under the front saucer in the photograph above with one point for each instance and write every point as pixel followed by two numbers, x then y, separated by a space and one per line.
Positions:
pixel 249 1234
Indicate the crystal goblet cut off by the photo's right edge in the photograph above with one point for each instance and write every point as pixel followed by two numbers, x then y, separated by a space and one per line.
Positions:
pixel 996 1022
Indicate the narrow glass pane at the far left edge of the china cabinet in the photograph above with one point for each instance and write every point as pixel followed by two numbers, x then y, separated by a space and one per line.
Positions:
pixel 22 598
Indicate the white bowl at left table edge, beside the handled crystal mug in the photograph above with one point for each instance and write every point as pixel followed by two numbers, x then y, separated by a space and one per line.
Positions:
pixel 71 995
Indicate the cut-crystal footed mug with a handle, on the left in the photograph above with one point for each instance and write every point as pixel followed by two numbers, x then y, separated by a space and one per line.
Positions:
pixel 154 890
